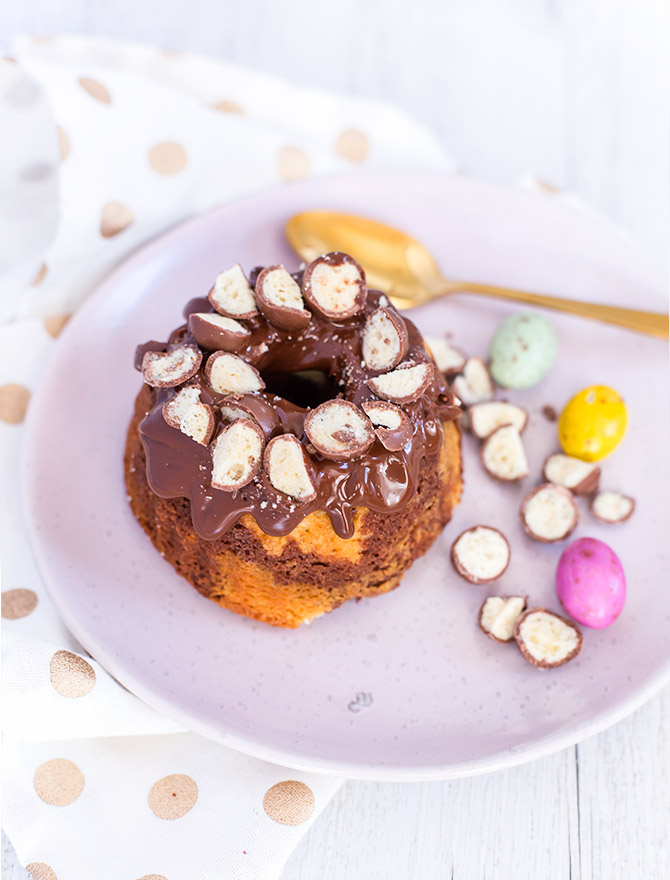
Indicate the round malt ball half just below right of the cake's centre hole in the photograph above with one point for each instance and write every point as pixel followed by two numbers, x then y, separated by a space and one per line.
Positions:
pixel 339 430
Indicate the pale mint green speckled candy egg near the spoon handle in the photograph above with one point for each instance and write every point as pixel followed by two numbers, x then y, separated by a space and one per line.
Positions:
pixel 522 350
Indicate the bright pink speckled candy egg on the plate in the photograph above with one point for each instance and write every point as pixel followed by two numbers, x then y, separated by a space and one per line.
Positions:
pixel 590 583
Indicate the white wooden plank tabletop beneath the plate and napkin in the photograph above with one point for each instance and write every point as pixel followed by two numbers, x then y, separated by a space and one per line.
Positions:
pixel 576 92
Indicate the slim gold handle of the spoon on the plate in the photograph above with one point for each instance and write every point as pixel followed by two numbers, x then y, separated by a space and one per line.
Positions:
pixel 651 323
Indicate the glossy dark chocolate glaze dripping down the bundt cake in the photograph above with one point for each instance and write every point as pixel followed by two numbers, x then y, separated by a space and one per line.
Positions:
pixel 379 480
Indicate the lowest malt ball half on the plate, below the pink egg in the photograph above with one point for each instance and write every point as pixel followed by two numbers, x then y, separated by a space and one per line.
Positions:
pixel 545 639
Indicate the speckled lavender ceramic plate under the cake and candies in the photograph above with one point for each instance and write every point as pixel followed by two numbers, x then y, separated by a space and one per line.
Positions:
pixel 403 686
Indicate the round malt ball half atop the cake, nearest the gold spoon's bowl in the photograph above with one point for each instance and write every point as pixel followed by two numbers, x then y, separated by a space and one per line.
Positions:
pixel 334 286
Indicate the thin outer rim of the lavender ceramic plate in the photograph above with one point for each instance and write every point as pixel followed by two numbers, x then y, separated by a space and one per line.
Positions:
pixel 247 744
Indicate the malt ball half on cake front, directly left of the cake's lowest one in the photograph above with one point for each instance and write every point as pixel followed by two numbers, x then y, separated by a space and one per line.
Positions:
pixel 237 453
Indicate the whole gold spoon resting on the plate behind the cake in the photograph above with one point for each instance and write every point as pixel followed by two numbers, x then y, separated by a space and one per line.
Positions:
pixel 406 271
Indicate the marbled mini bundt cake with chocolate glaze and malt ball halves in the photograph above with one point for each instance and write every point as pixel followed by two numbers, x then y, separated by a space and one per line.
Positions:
pixel 294 445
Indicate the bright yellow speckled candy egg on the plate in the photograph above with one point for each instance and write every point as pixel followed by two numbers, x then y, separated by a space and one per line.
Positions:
pixel 592 423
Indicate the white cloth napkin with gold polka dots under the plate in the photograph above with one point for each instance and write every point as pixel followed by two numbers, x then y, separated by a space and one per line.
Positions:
pixel 104 146
